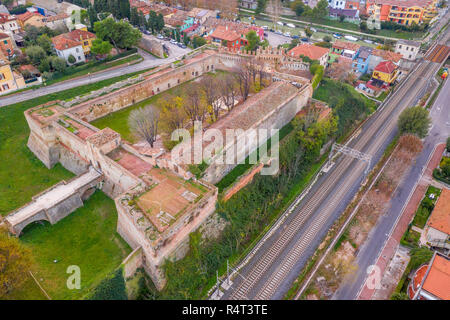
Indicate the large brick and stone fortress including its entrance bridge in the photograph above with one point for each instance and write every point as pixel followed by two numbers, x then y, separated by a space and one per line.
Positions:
pixel 159 202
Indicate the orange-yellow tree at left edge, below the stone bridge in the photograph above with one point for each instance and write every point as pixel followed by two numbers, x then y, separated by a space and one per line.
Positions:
pixel 15 263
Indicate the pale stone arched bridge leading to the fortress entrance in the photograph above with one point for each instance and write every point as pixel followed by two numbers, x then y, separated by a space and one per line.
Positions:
pixel 56 202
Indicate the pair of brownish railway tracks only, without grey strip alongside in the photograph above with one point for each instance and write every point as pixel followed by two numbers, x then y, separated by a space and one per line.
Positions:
pixel 284 251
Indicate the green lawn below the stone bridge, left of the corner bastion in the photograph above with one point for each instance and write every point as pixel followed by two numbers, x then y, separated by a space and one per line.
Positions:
pixel 86 238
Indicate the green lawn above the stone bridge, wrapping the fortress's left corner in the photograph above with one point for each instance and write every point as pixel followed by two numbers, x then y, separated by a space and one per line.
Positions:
pixel 22 175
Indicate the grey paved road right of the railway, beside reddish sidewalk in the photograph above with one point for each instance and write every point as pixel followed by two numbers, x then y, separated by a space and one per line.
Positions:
pixel 369 252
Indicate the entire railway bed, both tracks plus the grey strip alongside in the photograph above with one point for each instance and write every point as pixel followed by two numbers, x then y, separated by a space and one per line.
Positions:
pixel 270 269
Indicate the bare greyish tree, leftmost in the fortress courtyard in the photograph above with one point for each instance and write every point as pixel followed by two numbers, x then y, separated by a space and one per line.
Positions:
pixel 143 123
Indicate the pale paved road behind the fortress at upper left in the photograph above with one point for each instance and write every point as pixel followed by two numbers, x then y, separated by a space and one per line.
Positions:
pixel 148 62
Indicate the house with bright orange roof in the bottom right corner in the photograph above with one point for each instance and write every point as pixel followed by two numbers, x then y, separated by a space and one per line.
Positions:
pixel 431 281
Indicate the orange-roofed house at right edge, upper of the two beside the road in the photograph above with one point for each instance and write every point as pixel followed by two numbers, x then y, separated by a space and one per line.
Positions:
pixel 437 229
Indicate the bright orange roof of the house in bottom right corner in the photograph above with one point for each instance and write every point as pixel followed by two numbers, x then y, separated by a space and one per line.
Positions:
pixel 437 282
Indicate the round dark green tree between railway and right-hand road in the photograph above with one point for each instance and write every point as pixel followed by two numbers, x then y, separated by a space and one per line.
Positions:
pixel 414 120
